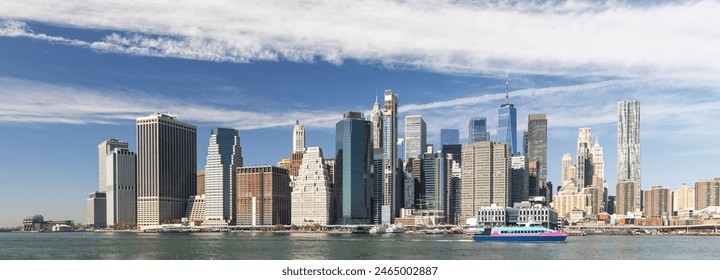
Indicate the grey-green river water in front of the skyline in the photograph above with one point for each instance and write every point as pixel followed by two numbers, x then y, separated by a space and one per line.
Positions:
pixel 321 246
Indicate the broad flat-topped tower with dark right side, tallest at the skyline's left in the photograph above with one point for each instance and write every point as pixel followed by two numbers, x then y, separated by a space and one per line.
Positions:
pixel 166 169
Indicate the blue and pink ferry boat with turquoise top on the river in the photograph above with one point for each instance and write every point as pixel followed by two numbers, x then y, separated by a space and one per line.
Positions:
pixel 519 234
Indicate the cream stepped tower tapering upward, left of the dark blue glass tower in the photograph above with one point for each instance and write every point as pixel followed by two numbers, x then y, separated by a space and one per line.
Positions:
pixel 311 193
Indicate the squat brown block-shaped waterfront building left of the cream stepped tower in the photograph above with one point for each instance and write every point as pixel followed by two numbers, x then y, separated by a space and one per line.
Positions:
pixel 263 196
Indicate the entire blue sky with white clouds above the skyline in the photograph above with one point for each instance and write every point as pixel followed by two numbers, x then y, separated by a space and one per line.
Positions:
pixel 75 74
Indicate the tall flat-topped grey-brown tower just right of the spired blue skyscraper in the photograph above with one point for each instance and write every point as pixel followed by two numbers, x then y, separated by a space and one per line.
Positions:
pixel 537 152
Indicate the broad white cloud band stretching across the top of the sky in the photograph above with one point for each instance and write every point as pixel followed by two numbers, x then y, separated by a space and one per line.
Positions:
pixel 554 37
